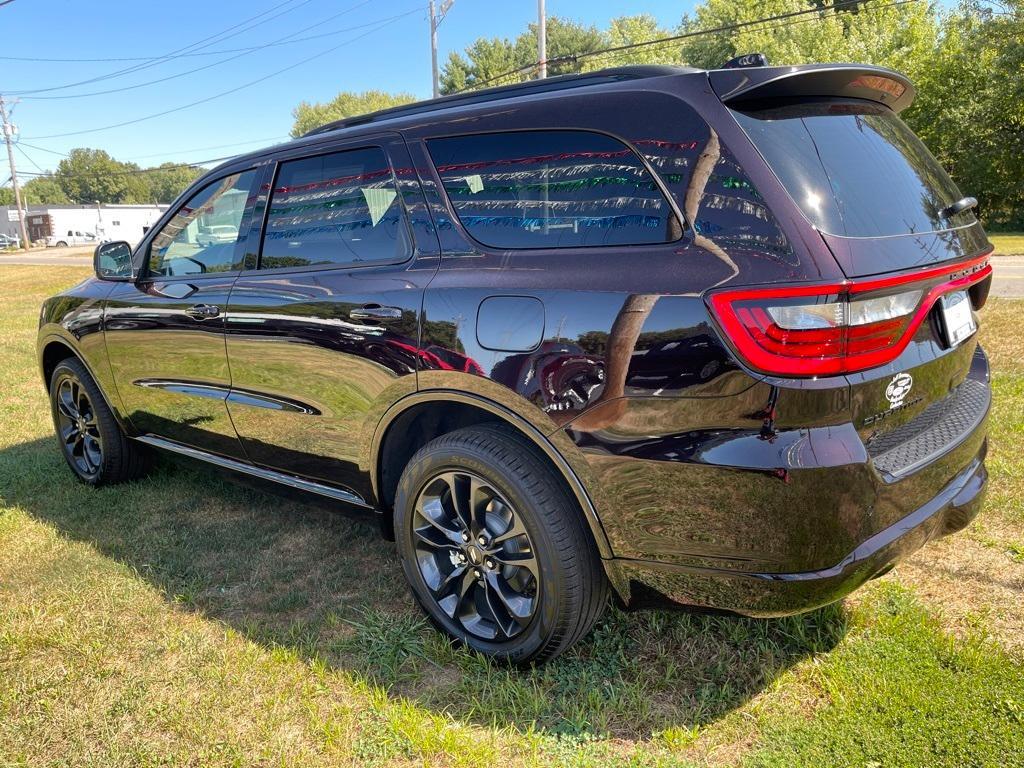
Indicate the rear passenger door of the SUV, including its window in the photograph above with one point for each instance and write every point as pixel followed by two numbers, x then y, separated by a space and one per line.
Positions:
pixel 326 332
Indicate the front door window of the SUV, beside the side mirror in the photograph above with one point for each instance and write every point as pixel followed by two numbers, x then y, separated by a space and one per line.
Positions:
pixel 204 235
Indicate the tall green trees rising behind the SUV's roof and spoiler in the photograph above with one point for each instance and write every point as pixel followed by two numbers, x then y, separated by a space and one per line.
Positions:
pixel 967 62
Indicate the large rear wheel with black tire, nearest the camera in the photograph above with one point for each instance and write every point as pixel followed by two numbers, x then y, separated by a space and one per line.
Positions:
pixel 495 548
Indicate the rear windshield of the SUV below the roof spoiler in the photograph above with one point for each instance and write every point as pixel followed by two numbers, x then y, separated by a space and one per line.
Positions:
pixel 855 168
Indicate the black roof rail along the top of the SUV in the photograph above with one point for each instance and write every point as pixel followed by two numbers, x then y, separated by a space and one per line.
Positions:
pixel 558 83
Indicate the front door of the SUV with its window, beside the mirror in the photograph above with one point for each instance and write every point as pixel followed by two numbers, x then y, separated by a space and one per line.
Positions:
pixel 165 332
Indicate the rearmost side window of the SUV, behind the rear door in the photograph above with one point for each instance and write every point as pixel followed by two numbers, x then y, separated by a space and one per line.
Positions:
pixel 552 190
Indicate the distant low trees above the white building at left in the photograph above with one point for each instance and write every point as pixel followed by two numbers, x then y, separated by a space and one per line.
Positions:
pixel 87 177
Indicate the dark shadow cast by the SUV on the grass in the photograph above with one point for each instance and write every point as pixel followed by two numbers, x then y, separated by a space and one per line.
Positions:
pixel 288 574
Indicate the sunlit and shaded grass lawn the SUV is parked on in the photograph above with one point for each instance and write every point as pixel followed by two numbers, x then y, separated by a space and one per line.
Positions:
pixel 184 620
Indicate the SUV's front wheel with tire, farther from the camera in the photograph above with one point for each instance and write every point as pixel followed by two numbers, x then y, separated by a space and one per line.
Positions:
pixel 93 443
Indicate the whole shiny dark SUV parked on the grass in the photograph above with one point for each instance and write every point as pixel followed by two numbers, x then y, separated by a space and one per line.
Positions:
pixel 692 337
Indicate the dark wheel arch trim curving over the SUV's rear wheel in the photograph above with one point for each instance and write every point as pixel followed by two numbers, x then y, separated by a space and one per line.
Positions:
pixel 449 410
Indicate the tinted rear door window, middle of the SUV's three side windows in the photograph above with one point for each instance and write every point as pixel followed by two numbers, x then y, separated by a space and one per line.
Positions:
pixel 335 209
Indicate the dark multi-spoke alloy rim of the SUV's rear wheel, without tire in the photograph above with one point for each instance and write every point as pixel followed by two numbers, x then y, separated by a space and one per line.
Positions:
pixel 476 557
